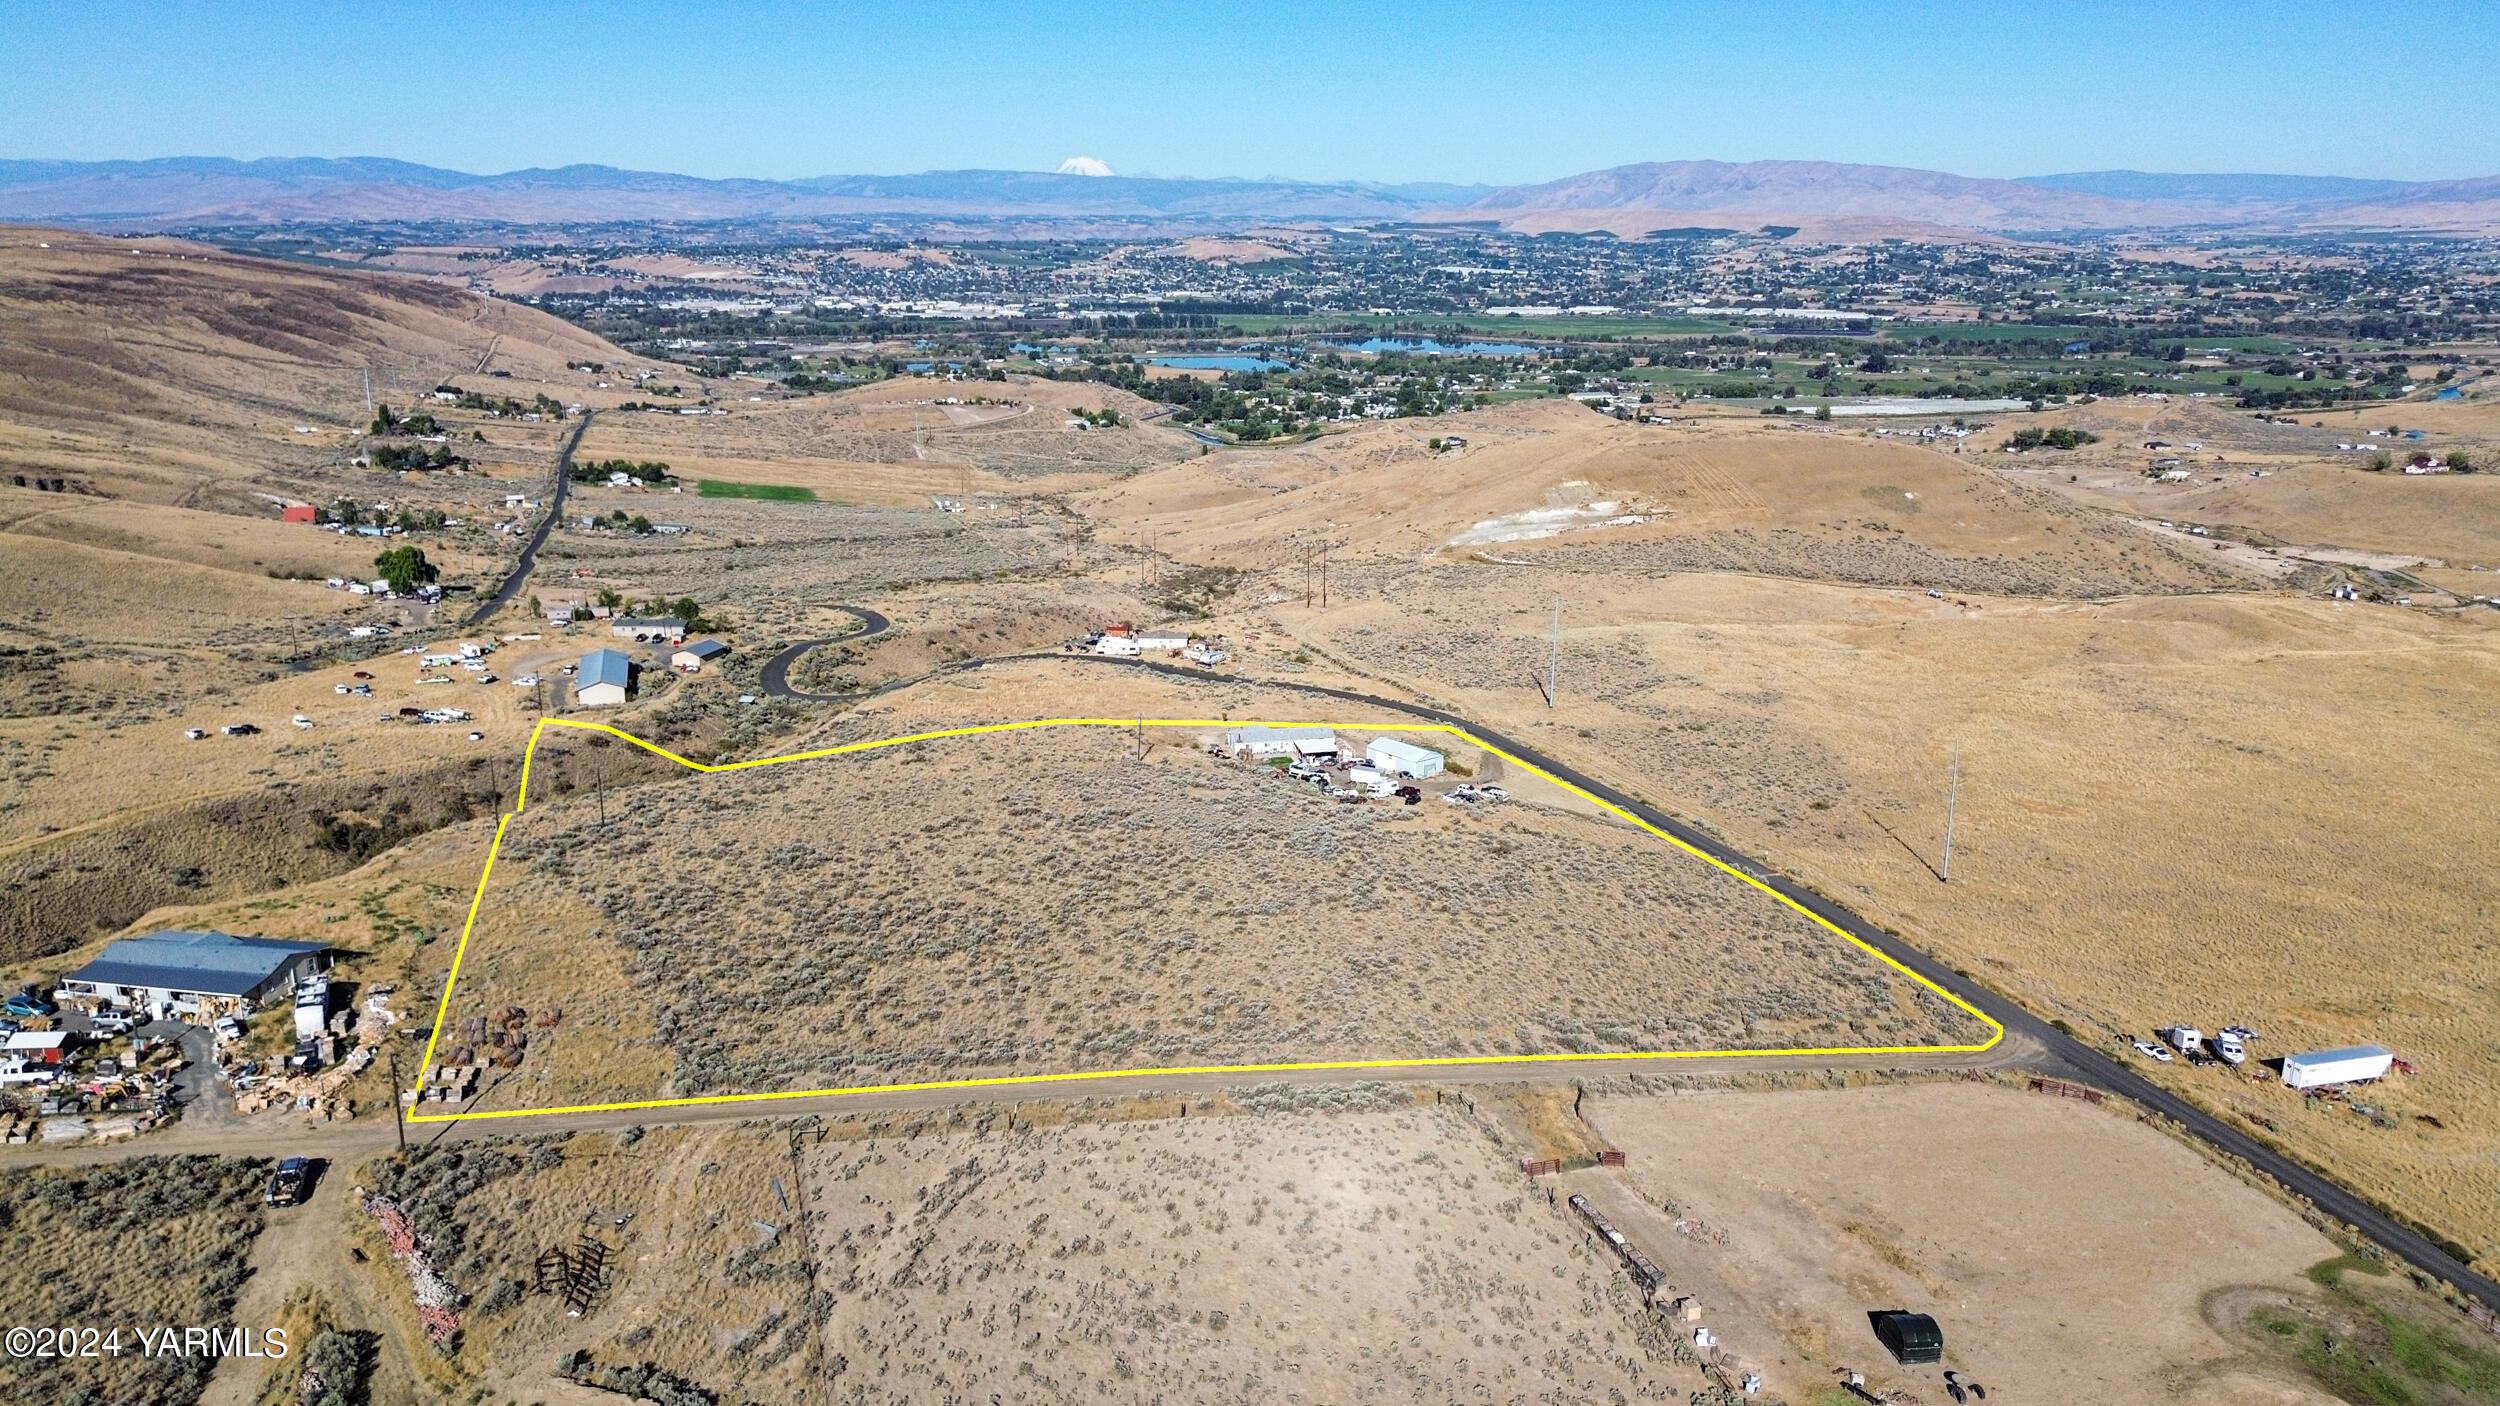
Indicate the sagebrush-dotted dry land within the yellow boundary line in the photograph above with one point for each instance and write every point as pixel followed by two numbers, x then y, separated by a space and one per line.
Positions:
pixel 1046 902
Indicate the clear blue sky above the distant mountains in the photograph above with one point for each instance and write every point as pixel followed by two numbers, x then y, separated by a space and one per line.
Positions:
pixel 1384 91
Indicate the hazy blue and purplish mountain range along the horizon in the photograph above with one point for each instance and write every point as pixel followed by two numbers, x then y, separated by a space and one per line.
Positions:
pixel 1824 199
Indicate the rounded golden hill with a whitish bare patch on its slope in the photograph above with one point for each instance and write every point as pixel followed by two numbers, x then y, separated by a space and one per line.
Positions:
pixel 1804 502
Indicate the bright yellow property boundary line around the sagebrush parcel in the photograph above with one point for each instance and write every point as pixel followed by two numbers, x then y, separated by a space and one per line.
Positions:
pixel 524 802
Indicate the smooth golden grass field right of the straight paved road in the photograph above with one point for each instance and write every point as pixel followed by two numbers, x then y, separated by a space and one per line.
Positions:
pixel 2201 809
